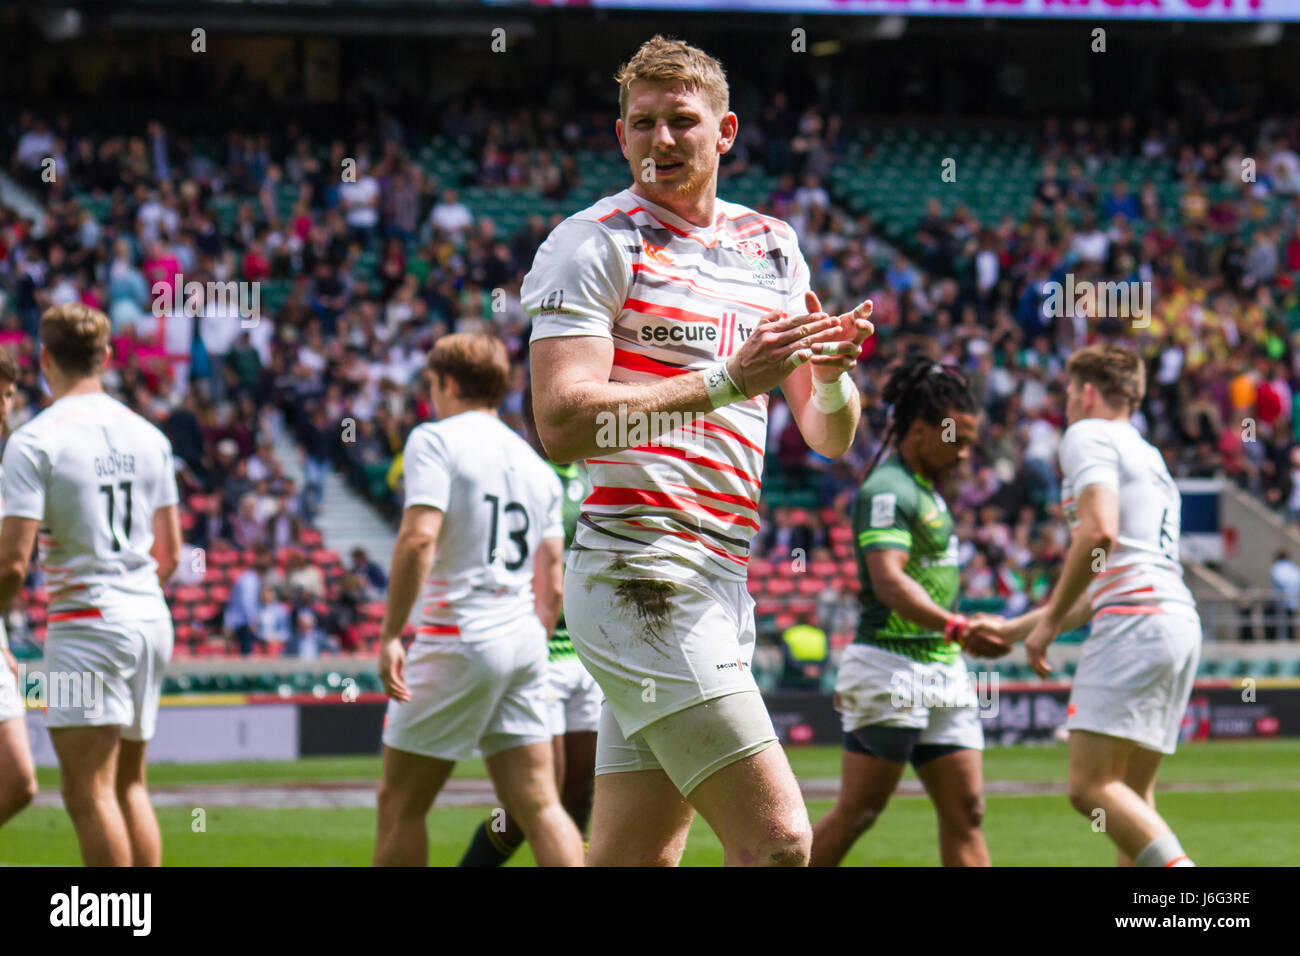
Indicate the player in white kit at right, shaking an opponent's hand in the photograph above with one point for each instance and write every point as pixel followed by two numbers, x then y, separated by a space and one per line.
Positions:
pixel 1123 573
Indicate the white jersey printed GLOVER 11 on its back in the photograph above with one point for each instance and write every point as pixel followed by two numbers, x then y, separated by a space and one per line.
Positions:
pixel 93 473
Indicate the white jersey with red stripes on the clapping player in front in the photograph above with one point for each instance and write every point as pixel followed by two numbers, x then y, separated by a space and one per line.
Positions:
pixel 674 299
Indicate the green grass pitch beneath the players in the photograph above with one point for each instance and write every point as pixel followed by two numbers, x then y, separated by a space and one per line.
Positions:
pixel 1242 811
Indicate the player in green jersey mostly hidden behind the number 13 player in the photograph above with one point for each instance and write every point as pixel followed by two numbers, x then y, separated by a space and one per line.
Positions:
pixel 575 706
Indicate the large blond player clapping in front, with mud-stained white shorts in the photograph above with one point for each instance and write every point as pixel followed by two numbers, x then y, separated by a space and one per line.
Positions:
pixel 662 317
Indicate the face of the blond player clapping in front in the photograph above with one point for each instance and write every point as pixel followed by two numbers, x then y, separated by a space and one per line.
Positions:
pixel 673 139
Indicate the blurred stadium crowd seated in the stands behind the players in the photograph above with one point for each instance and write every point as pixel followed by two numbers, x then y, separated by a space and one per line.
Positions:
pixel 340 361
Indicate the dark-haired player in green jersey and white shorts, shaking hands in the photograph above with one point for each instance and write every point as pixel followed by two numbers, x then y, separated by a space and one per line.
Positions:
pixel 903 687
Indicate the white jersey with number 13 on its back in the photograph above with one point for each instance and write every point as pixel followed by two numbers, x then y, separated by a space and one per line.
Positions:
pixel 499 503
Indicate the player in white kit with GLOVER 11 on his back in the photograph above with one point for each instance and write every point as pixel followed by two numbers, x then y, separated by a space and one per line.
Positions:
pixel 97 483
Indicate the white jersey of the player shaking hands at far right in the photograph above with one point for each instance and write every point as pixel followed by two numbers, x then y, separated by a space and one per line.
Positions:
pixel 1143 572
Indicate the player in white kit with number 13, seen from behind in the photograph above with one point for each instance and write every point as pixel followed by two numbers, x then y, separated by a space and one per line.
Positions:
pixel 483 538
